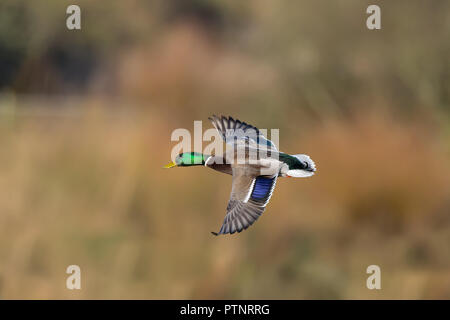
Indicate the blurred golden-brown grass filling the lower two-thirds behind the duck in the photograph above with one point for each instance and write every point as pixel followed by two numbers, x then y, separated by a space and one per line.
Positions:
pixel 90 190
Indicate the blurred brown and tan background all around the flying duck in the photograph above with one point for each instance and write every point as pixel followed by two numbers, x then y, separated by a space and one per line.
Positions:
pixel 86 118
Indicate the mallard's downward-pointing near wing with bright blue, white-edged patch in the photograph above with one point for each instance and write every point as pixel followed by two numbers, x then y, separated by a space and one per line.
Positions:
pixel 248 200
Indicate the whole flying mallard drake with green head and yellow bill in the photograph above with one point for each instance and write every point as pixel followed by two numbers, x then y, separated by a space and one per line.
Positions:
pixel 255 165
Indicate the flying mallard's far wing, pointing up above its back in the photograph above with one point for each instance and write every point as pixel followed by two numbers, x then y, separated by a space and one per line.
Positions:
pixel 235 131
